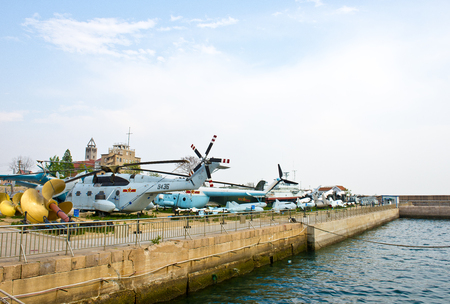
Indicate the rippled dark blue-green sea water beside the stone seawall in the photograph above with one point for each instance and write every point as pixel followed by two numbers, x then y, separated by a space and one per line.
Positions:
pixel 353 271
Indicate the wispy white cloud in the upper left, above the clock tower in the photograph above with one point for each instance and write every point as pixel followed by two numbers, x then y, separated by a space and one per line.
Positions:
pixel 96 36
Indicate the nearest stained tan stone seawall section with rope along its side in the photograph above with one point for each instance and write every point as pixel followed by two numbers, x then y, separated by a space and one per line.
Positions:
pixel 150 273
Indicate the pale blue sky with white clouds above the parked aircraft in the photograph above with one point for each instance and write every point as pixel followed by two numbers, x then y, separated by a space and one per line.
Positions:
pixel 351 93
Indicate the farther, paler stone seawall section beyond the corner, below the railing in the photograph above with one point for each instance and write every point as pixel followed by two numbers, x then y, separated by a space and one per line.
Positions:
pixel 342 229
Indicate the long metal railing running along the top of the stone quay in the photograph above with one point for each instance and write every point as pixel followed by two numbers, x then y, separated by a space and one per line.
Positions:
pixel 25 240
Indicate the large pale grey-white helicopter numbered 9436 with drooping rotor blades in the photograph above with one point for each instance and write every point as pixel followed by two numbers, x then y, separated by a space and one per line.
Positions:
pixel 113 192
